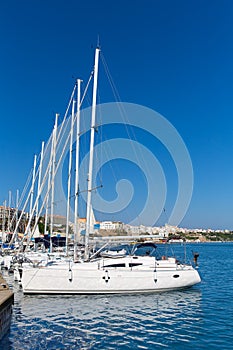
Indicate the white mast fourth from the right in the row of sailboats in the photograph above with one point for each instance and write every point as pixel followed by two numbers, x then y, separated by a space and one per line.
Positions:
pixel 52 180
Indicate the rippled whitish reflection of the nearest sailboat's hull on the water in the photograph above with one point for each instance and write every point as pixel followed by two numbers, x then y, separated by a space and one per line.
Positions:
pixel 104 321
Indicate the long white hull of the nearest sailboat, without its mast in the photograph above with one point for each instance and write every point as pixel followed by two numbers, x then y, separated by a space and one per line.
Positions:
pixel 112 276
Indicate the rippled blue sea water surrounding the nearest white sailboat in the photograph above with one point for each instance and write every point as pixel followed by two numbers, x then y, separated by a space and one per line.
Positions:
pixel 197 318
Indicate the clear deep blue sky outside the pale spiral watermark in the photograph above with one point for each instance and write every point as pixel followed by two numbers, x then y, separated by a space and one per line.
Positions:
pixel 175 57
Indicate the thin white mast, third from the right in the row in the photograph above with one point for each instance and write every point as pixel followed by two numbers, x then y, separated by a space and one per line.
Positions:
pixel 69 177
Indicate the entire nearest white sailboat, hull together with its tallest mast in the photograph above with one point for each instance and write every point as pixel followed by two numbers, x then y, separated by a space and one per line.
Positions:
pixel 106 273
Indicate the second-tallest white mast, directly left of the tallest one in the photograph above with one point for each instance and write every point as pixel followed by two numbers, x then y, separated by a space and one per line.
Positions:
pixel 76 233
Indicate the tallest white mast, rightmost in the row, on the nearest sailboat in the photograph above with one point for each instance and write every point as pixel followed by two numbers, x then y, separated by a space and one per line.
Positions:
pixel 89 179
